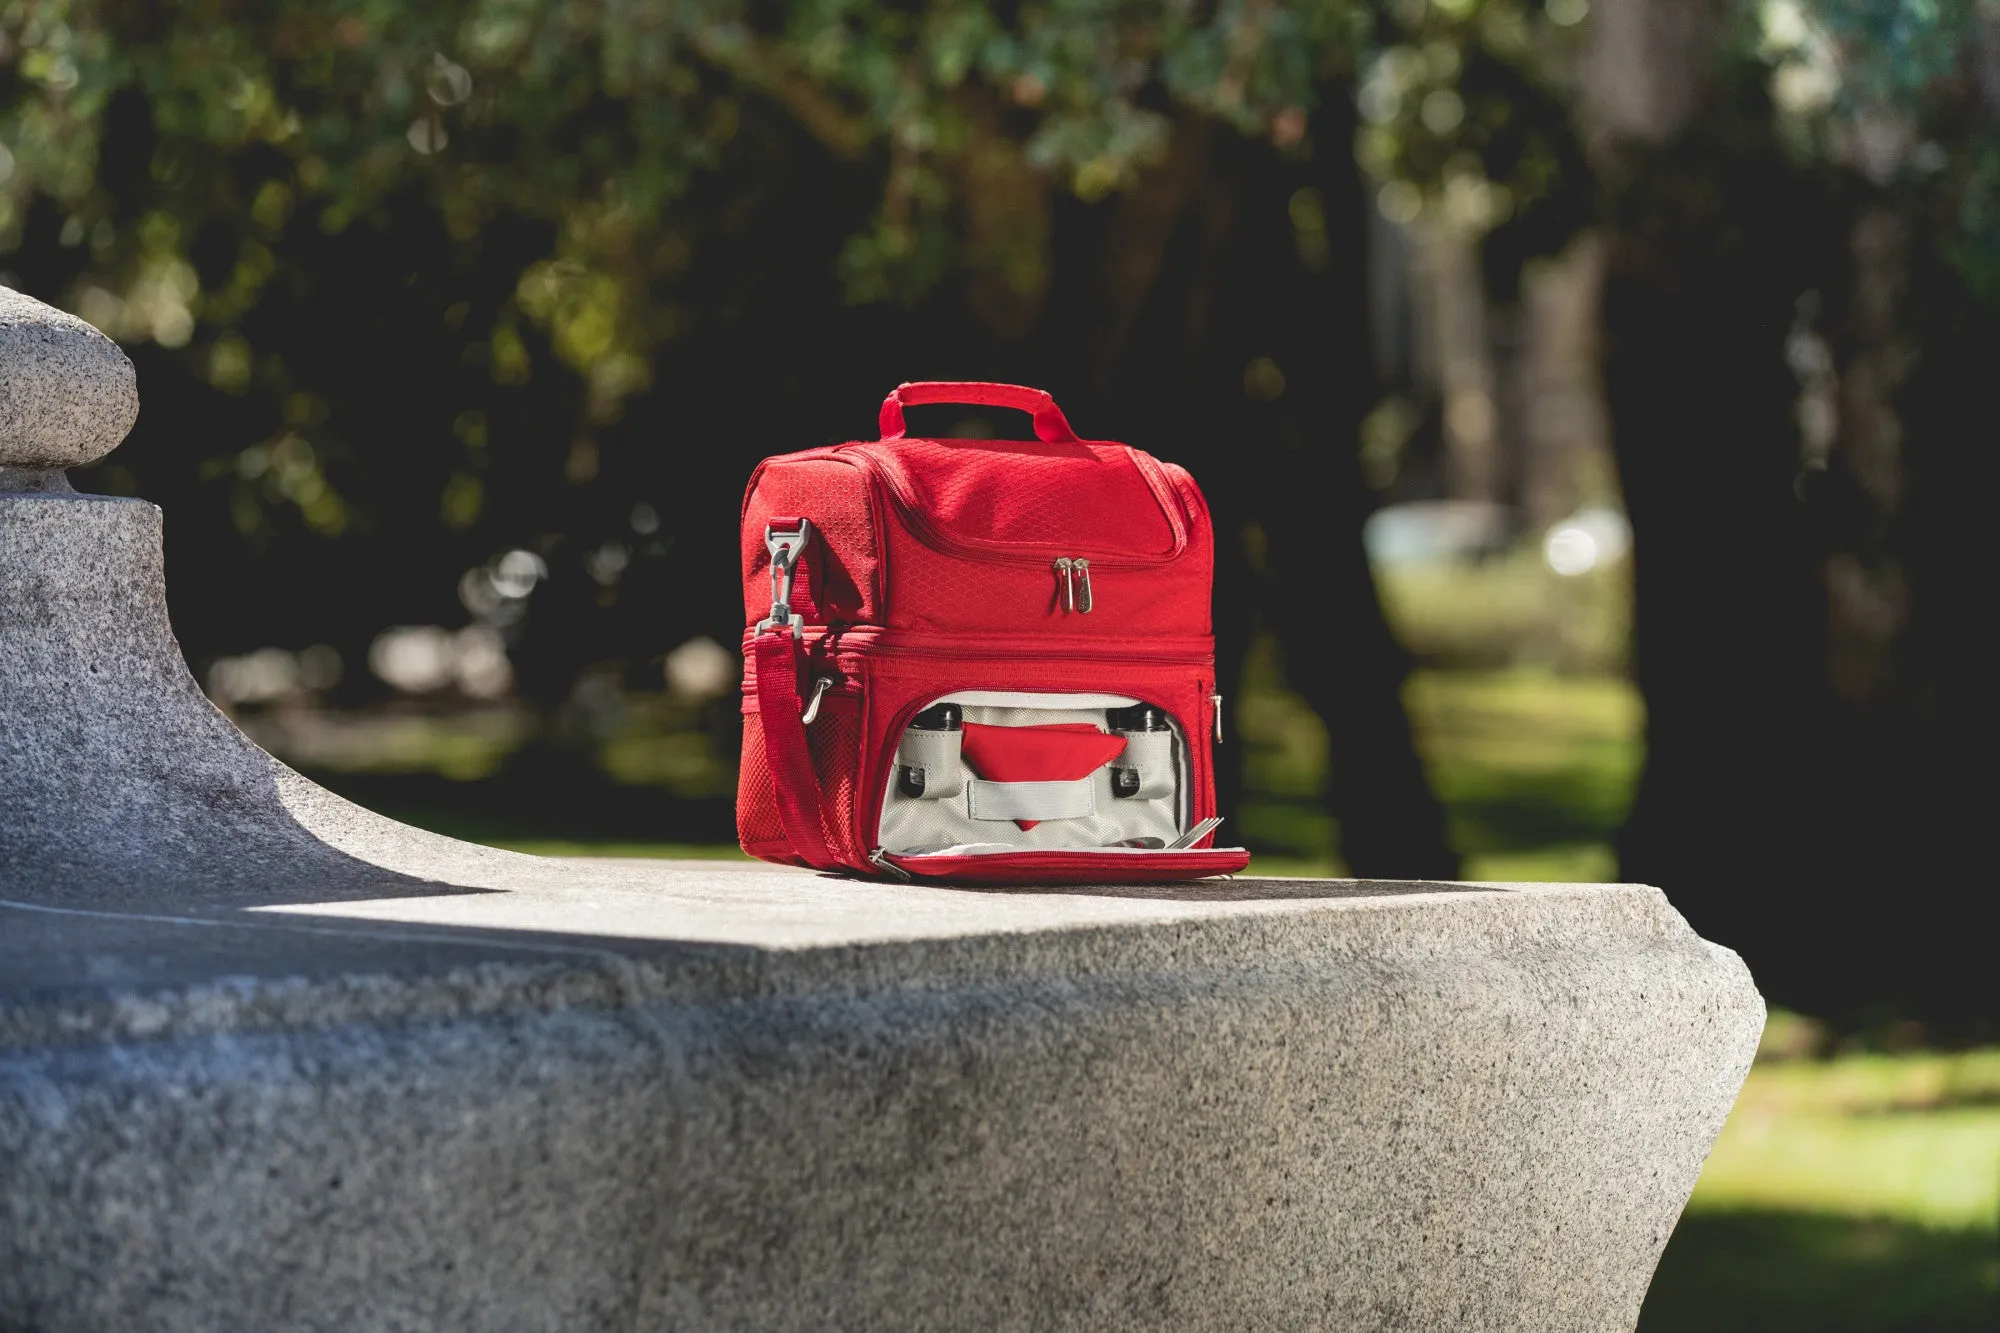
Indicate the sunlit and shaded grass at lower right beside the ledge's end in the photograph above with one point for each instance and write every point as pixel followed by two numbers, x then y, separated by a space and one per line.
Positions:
pixel 1847 1196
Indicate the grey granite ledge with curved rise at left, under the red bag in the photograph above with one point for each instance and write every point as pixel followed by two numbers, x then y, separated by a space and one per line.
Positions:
pixel 273 1062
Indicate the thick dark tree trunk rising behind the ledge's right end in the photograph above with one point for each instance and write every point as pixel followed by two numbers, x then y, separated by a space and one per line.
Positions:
pixel 1703 275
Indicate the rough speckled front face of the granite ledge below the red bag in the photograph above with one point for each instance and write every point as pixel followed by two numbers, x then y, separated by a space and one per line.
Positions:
pixel 1477 1132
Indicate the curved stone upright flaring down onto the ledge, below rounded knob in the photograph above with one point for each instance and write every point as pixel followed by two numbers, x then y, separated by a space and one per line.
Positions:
pixel 121 772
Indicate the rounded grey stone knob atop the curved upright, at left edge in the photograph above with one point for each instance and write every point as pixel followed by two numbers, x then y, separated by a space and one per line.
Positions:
pixel 67 391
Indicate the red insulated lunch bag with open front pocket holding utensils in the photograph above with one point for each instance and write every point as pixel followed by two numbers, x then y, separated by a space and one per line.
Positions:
pixel 981 661
